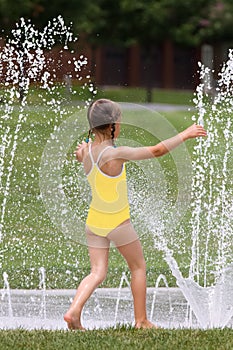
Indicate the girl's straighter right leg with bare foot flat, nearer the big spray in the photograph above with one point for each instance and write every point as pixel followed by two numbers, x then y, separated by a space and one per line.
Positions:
pixel 133 254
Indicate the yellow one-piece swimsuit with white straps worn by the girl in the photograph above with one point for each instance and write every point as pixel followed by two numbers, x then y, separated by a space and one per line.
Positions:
pixel 109 206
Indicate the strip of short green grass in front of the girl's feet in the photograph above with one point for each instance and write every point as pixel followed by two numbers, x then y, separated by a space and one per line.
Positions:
pixel 117 339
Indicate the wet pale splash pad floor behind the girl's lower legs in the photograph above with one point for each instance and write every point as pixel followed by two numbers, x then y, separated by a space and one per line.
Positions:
pixel 108 307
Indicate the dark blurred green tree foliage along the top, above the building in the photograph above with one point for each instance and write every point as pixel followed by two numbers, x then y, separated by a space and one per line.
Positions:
pixel 126 22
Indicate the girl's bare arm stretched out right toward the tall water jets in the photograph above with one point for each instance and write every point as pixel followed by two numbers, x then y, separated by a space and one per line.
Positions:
pixel 140 153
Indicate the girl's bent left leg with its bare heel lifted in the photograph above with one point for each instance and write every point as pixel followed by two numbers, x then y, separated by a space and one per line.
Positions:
pixel 99 266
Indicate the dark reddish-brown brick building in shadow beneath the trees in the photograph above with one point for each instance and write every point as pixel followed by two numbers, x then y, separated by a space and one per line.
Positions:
pixel 170 66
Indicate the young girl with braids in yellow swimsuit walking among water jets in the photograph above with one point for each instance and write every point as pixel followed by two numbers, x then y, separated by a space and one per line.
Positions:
pixel 108 217
